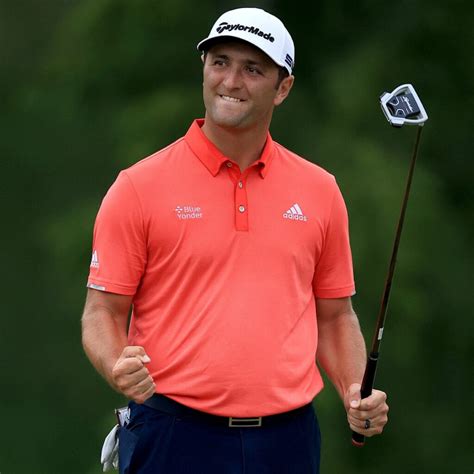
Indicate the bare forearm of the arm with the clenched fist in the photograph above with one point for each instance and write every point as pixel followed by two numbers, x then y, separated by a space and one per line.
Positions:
pixel 104 337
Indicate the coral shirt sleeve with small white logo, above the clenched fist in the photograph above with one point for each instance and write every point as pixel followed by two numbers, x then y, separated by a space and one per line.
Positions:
pixel 119 251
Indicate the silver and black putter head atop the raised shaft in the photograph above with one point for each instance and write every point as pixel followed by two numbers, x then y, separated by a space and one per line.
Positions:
pixel 403 106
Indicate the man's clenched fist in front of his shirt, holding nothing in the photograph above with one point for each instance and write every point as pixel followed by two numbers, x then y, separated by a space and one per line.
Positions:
pixel 131 377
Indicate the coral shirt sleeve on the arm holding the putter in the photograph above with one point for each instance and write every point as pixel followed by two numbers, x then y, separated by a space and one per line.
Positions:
pixel 334 276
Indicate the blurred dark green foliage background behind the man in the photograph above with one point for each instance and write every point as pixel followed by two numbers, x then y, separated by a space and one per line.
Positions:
pixel 88 87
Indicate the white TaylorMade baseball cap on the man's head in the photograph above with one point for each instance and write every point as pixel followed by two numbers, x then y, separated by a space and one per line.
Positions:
pixel 257 27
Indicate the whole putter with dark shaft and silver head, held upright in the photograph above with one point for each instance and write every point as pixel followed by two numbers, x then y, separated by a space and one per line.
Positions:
pixel 402 106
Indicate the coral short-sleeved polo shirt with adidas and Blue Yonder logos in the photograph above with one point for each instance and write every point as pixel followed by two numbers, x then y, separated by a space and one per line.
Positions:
pixel 224 267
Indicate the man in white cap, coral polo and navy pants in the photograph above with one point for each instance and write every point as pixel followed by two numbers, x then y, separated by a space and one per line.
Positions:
pixel 234 254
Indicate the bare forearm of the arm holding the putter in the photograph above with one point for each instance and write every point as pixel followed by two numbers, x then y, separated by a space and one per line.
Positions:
pixel 341 350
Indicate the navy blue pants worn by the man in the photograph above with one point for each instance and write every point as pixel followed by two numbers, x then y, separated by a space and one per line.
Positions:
pixel 158 443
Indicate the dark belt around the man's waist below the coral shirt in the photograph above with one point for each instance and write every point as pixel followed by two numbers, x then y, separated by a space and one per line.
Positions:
pixel 167 405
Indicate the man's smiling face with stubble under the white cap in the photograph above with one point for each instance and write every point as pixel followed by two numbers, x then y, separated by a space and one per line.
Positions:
pixel 240 86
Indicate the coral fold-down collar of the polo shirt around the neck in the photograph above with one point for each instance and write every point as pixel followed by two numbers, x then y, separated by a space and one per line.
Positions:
pixel 212 158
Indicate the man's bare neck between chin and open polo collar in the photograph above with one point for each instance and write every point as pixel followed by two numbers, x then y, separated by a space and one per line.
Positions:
pixel 241 146
